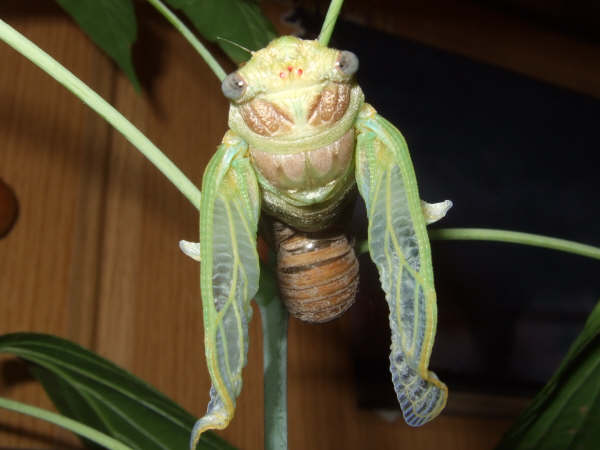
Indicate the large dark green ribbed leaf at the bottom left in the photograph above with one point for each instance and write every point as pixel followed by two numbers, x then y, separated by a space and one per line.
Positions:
pixel 96 392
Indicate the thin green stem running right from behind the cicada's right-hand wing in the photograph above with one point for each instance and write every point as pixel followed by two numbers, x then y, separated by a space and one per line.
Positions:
pixel 513 237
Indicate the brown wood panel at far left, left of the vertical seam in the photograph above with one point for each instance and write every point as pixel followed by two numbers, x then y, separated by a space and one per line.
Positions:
pixel 52 153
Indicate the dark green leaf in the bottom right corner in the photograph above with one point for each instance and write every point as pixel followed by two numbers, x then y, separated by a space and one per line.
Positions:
pixel 566 412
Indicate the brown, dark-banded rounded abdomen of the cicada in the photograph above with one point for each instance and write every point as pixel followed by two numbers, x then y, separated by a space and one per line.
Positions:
pixel 317 272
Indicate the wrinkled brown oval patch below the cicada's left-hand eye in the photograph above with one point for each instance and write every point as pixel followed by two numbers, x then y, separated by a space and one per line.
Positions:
pixel 265 118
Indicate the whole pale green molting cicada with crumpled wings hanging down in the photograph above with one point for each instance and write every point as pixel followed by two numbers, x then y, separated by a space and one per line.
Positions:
pixel 301 142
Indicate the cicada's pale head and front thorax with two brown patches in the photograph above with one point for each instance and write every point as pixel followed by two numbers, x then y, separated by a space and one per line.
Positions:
pixel 293 89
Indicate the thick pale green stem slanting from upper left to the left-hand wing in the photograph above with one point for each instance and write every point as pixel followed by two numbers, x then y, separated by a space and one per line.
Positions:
pixel 53 68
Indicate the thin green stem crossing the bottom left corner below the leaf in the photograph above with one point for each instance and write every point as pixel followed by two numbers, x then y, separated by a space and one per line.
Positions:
pixel 64 422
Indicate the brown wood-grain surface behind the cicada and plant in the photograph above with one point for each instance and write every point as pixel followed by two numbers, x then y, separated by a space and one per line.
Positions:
pixel 93 256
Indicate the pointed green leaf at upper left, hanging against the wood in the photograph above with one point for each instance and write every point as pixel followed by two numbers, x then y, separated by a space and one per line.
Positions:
pixel 111 24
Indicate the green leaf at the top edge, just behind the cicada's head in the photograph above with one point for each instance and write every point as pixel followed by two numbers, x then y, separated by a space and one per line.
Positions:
pixel 240 21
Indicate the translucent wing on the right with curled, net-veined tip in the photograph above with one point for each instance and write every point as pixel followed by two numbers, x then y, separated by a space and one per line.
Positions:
pixel 399 246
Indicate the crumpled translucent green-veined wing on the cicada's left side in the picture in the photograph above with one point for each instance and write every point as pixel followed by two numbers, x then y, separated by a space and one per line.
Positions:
pixel 229 274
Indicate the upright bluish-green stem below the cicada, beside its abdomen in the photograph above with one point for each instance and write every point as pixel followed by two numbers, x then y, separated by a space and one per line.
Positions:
pixel 274 318
